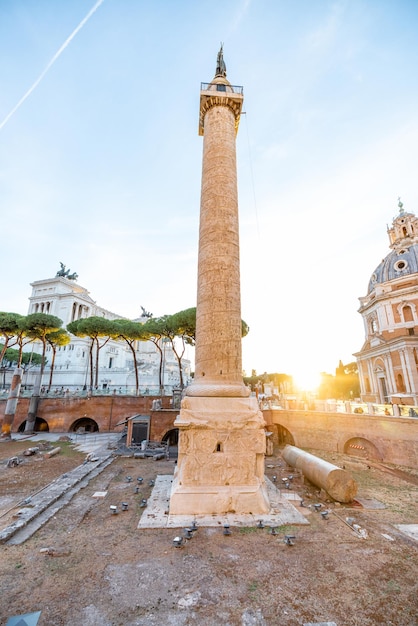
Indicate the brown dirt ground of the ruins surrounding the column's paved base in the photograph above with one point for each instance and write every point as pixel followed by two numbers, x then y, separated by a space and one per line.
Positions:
pixel 101 570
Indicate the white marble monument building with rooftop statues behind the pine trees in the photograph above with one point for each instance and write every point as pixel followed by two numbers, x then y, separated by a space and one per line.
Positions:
pixel 66 299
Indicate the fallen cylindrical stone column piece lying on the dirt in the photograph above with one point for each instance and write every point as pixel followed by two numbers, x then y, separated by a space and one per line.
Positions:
pixel 335 481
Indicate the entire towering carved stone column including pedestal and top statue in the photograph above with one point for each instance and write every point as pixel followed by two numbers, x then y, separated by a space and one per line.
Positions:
pixel 222 441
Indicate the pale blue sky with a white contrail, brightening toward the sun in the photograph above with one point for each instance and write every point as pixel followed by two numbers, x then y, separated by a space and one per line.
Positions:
pixel 100 164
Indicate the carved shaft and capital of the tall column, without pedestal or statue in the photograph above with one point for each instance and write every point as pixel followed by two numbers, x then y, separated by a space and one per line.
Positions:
pixel 218 365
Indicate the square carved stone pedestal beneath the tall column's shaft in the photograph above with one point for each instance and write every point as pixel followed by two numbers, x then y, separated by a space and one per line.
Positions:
pixel 220 468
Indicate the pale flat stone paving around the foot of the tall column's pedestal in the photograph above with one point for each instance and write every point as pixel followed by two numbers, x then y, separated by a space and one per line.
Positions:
pixel 156 514
